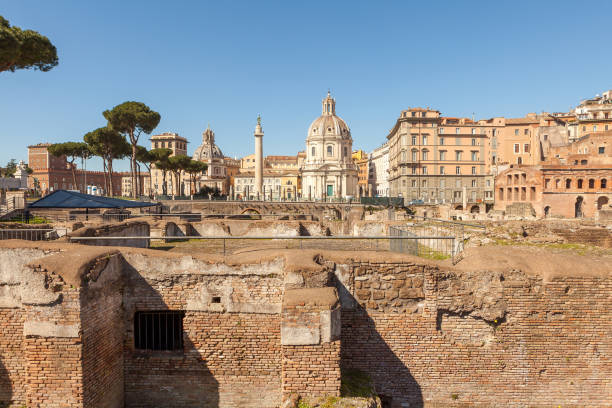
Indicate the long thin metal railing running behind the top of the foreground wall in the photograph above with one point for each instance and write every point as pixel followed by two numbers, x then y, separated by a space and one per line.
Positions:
pixel 378 243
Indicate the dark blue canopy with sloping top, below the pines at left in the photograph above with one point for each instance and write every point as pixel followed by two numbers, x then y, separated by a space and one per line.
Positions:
pixel 71 199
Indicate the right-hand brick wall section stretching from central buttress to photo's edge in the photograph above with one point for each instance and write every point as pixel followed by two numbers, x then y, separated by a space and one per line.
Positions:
pixel 486 339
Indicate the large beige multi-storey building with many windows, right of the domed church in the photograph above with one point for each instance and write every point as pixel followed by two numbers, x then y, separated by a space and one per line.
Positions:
pixel 439 159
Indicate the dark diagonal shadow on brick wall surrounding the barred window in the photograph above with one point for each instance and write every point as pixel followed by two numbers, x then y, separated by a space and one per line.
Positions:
pixel 176 378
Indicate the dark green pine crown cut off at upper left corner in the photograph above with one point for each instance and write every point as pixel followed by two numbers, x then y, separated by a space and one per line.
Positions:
pixel 25 49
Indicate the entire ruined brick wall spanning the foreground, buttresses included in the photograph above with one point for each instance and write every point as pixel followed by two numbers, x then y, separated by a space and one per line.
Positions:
pixel 263 327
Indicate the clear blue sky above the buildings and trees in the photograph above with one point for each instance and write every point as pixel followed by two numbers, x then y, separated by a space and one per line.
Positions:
pixel 224 62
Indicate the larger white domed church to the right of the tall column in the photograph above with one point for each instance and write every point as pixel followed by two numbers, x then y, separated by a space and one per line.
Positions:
pixel 329 170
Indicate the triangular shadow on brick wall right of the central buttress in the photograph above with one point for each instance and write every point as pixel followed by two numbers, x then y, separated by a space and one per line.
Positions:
pixel 363 348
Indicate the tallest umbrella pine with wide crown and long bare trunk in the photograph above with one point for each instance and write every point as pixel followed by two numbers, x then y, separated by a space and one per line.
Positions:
pixel 132 119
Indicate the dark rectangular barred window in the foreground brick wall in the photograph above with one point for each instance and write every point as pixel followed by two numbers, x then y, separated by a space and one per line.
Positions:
pixel 159 331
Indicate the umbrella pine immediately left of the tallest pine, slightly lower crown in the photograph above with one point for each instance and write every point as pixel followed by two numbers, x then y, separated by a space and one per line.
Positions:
pixel 108 144
